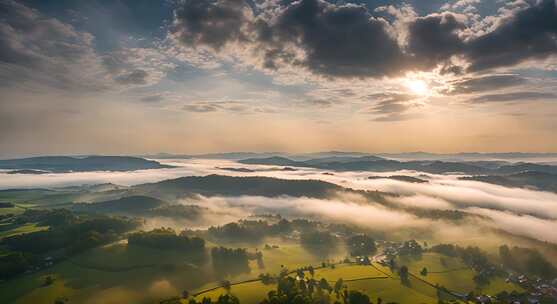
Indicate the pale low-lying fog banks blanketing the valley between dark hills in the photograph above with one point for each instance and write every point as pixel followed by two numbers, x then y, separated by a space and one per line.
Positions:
pixel 519 211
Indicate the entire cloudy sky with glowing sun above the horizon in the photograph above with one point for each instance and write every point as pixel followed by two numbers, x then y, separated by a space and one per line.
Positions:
pixel 195 76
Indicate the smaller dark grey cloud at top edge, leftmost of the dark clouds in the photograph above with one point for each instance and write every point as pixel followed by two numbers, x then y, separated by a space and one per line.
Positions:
pixel 211 23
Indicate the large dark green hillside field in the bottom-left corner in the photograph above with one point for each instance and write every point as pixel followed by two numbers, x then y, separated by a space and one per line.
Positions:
pixel 113 271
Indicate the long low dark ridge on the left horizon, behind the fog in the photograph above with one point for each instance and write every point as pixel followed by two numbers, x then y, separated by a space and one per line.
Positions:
pixel 59 164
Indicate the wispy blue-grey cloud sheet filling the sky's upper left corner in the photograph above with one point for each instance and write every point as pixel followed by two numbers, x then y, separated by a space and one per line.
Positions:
pixel 41 52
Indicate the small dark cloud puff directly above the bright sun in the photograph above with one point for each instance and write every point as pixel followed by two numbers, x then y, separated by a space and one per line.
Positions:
pixel 434 39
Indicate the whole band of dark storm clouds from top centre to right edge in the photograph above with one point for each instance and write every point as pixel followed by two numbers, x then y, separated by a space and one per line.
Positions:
pixel 346 40
